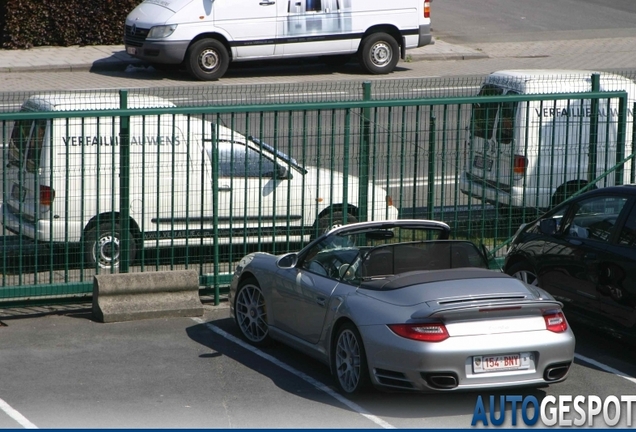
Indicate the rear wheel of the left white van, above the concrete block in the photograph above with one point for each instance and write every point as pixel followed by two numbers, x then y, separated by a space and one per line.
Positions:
pixel 102 245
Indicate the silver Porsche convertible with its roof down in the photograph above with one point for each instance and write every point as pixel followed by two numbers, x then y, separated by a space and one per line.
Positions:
pixel 398 305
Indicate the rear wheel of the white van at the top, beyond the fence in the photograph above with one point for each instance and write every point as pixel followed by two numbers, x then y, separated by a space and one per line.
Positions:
pixel 379 53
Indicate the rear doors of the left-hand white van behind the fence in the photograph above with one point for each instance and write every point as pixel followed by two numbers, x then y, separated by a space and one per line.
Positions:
pixel 27 195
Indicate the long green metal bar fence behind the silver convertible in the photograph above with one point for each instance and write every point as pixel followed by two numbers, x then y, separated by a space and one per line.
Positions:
pixel 128 182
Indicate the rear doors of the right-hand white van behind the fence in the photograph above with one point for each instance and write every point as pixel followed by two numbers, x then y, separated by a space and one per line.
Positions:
pixel 492 160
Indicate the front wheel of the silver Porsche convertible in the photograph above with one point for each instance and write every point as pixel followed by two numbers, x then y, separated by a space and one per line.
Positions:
pixel 250 313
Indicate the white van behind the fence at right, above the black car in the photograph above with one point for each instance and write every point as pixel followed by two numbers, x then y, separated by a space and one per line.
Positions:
pixel 534 155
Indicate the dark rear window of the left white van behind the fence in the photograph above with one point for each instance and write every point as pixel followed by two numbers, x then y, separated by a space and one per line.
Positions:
pixel 25 143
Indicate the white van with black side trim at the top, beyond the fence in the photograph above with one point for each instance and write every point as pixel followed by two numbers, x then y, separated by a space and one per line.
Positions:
pixel 206 35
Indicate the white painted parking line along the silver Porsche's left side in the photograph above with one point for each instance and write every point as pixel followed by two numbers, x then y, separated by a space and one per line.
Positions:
pixel 320 386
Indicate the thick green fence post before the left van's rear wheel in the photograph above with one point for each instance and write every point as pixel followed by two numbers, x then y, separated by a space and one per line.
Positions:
pixel 124 184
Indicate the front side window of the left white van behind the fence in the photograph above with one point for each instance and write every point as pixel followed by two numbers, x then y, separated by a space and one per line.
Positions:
pixel 237 160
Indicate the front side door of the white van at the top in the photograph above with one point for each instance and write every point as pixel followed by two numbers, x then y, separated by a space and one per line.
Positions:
pixel 250 24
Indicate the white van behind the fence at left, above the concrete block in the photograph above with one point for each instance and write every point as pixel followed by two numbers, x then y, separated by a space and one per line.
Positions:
pixel 61 183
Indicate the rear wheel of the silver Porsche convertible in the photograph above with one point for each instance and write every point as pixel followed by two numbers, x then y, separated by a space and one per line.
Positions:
pixel 349 361
